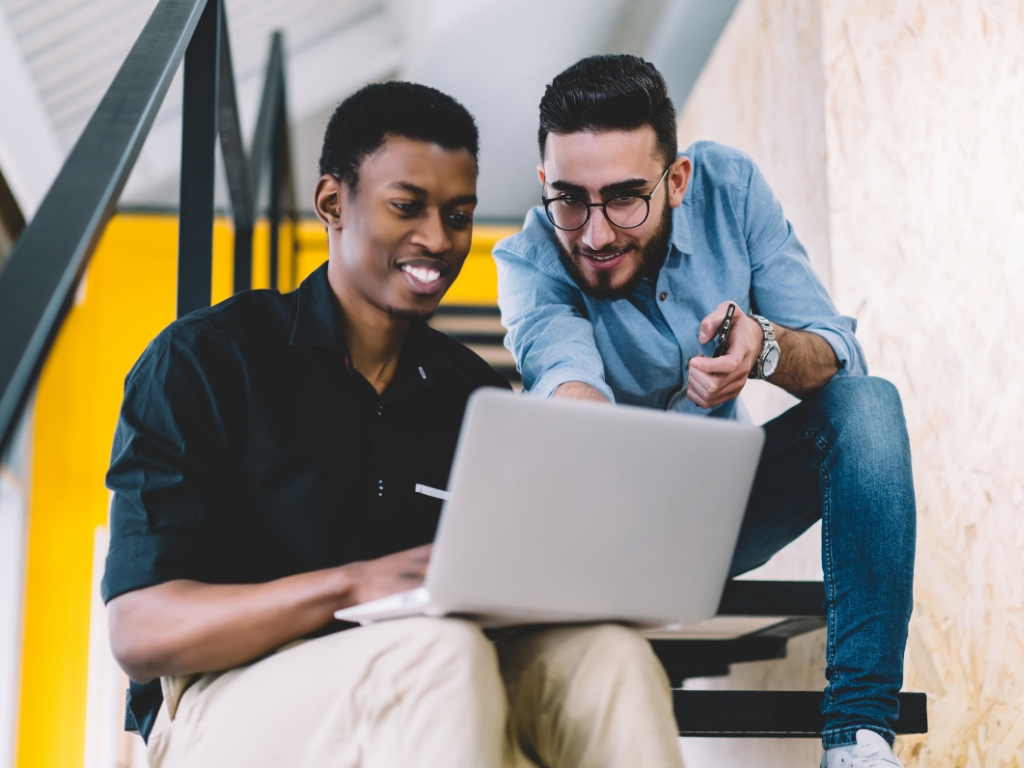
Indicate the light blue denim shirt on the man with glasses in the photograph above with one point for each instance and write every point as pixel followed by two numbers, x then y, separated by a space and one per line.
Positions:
pixel 730 242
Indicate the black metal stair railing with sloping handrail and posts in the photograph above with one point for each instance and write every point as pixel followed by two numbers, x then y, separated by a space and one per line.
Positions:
pixel 39 280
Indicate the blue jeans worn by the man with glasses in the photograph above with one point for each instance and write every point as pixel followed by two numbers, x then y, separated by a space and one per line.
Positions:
pixel 843 455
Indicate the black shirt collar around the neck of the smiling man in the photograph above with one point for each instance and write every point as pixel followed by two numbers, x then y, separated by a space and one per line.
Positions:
pixel 318 324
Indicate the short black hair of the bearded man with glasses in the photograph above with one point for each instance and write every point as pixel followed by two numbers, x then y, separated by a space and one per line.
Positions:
pixel 610 93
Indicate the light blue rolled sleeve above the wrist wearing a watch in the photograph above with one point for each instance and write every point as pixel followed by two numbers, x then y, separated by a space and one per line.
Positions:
pixel 785 286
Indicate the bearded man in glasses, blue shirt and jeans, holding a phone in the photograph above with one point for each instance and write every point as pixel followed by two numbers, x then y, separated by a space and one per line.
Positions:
pixel 615 290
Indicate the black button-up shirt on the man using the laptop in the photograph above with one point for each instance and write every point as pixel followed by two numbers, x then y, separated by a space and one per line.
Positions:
pixel 250 449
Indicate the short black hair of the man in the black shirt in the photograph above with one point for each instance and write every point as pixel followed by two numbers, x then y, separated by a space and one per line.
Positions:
pixel 363 121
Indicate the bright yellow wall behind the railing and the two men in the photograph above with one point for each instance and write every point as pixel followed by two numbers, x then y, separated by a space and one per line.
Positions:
pixel 129 296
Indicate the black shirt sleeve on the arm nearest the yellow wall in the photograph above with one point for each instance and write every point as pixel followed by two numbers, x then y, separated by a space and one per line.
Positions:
pixel 167 468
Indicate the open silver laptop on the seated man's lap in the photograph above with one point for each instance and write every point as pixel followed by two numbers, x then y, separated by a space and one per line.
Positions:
pixel 564 511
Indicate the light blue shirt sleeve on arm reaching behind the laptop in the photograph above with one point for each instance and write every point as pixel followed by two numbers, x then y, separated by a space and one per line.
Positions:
pixel 548 335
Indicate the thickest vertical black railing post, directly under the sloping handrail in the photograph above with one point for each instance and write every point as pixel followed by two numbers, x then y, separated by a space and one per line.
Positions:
pixel 199 144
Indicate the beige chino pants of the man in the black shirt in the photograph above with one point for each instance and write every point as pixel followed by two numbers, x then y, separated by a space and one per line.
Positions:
pixel 432 694
